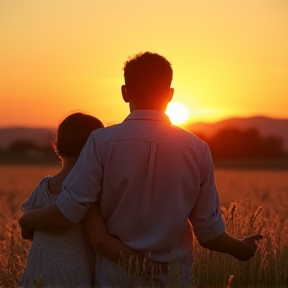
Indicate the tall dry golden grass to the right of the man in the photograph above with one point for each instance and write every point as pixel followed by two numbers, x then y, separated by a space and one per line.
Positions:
pixel 252 202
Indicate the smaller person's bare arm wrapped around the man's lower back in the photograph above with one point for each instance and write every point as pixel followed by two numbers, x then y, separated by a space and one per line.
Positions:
pixel 101 241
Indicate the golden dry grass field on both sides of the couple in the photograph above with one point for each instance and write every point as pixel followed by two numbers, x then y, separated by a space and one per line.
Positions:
pixel 252 202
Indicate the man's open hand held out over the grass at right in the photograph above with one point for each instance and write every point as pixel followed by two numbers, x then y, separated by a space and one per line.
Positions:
pixel 249 248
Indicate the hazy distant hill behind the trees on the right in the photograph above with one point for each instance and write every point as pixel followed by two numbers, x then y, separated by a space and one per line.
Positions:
pixel 265 126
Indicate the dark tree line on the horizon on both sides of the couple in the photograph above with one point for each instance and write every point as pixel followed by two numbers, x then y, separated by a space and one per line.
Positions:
pixel 226 144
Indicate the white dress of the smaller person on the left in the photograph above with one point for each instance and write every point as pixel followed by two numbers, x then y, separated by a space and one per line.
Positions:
pixel 63 259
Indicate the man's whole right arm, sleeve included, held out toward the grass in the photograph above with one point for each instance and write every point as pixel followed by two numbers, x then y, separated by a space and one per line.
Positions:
pixel 208 223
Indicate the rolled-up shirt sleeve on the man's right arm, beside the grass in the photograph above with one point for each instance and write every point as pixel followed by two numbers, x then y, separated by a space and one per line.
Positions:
pixel 206 217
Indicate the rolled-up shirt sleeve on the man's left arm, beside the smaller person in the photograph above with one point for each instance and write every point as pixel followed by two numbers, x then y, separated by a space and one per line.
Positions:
pixel 83 185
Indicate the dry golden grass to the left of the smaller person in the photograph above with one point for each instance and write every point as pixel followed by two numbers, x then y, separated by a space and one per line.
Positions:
pixel 16 184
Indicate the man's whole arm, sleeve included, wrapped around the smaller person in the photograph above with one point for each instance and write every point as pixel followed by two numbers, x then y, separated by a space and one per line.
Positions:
pixel 82 186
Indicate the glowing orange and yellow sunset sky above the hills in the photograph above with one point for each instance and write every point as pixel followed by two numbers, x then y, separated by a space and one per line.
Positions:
pixel 229 56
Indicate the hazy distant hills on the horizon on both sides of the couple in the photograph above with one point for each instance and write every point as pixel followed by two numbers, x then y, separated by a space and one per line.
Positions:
pixel 266 127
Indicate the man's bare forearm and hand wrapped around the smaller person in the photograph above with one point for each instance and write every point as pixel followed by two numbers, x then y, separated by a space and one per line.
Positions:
pixel 46 219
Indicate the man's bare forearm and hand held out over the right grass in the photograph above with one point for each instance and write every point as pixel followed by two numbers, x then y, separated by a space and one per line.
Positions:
pixel 241 249
